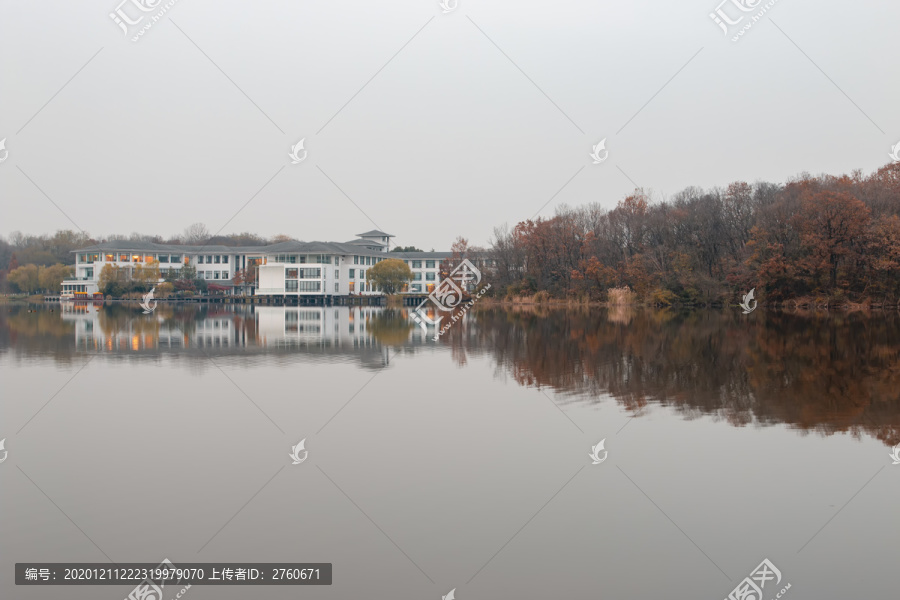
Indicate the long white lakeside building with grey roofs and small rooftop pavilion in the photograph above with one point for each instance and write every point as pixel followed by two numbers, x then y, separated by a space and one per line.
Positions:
pixel 318 269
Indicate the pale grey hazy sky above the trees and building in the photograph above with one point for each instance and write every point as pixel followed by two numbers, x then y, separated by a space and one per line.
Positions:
pixel 434 125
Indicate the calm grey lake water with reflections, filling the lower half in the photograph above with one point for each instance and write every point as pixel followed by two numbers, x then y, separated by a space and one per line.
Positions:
pixel 461 463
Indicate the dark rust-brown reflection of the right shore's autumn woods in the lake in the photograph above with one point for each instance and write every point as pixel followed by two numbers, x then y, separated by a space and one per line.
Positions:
pixel 821 372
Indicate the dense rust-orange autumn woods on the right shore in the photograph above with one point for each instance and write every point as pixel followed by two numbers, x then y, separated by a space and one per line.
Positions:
pixel 837 236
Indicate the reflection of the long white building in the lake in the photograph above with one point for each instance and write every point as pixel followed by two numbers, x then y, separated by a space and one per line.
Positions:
pixel 123 328
